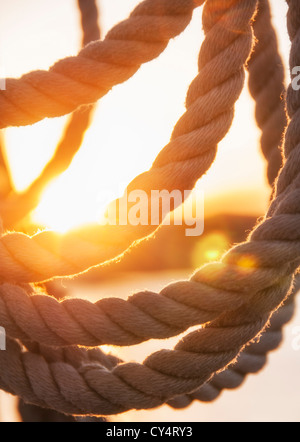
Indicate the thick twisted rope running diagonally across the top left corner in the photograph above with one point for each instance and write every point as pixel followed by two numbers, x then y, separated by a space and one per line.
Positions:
pixel 81 80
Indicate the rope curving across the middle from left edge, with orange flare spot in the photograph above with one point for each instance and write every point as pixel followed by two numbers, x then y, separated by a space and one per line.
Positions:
pixel 148 315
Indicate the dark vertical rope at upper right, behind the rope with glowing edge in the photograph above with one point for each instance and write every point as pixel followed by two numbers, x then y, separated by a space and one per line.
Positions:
pixel 266 84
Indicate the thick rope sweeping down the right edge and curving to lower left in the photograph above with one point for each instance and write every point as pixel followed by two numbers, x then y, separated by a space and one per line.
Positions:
pixel 246 272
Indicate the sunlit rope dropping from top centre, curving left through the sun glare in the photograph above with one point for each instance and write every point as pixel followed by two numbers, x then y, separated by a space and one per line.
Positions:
pixel 191 151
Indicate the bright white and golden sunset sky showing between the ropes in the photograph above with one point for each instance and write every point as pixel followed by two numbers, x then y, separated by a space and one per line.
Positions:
pixel 131 124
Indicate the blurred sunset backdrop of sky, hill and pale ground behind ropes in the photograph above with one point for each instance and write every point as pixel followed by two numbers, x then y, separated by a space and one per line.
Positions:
pixel 36 33
